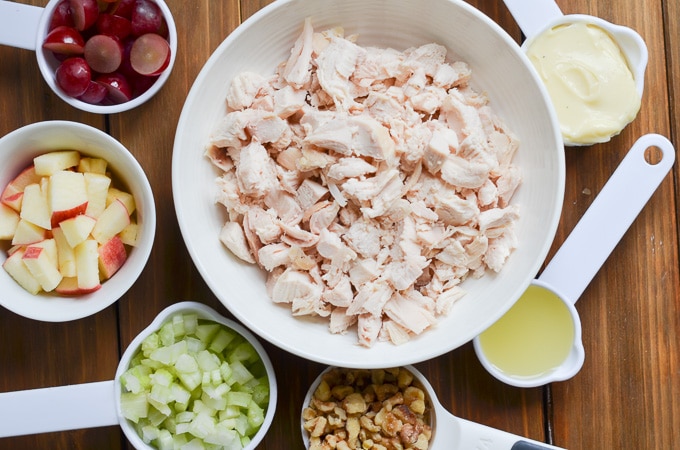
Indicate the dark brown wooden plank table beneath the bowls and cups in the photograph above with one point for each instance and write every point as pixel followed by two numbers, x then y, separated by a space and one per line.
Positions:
pixel 627 396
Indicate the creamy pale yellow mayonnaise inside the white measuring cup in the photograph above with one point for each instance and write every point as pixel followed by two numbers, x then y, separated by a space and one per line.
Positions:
pixel 588 79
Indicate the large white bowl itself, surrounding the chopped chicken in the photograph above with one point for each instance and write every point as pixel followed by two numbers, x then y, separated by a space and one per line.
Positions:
pixel 499 68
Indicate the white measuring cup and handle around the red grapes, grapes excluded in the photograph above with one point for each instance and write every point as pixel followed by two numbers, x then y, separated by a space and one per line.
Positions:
pixel 26 26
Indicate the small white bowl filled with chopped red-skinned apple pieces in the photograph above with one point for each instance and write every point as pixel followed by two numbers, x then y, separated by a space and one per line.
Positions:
pixel 77 220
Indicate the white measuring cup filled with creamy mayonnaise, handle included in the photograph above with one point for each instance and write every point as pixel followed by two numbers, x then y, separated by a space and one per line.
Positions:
pixel 594 100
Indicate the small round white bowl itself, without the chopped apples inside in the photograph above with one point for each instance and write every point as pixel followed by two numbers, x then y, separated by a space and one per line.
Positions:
pixel 17 150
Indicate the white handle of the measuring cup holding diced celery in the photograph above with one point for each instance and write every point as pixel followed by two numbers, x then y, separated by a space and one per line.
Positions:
pixel 61 408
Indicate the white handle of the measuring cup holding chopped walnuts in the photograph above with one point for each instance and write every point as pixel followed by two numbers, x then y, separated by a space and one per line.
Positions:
pixel 475 435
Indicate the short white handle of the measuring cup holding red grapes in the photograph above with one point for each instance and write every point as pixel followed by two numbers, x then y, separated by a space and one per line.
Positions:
pixel 19 24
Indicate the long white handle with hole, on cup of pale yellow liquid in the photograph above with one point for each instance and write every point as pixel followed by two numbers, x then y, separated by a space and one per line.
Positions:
pixel 607 219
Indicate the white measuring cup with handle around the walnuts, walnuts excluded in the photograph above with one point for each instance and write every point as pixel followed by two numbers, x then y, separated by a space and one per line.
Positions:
pixel 448 431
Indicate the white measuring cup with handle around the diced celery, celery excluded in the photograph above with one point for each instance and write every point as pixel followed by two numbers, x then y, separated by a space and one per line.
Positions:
pixel 97 404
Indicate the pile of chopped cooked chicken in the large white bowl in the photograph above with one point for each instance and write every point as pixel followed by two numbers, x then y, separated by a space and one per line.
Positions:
pixel 369 183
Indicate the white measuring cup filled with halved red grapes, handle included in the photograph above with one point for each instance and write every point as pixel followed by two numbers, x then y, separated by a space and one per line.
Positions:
pixel 101 56
